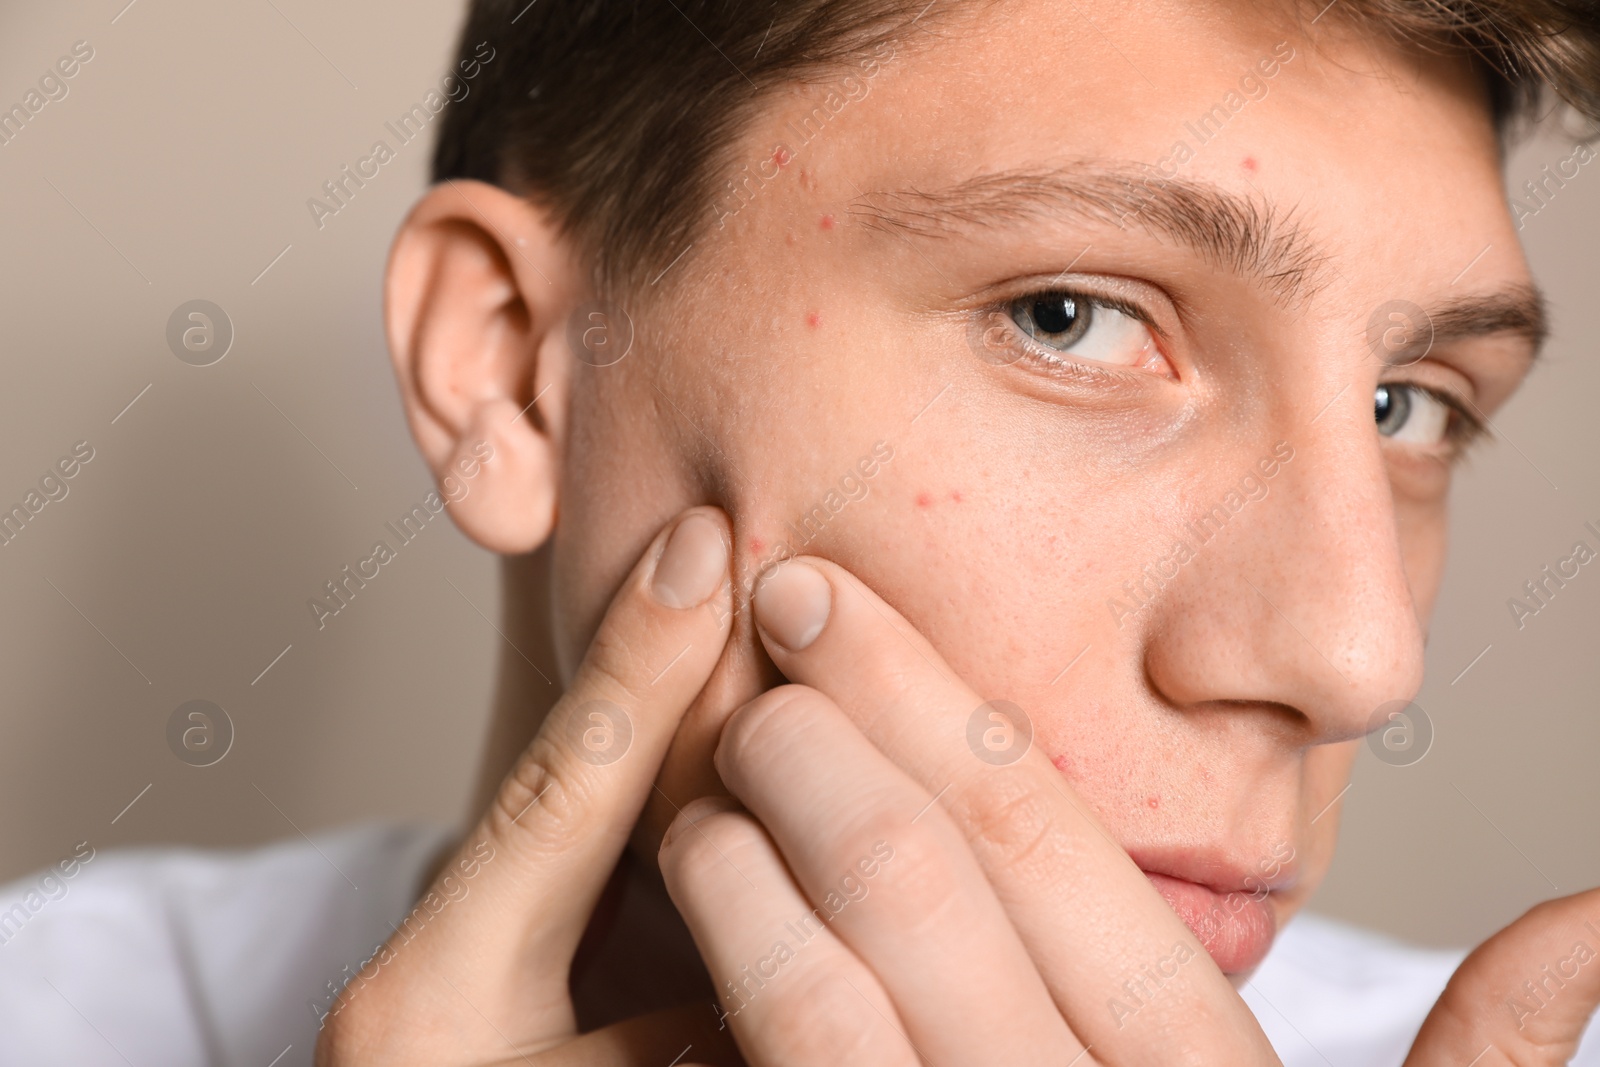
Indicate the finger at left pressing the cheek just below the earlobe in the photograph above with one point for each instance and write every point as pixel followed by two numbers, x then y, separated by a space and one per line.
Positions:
pixel 564 815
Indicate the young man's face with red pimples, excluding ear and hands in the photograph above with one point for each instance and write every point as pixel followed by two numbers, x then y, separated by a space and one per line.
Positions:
pixel 1185 546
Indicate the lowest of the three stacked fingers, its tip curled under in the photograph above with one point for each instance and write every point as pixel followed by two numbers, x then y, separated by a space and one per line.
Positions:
pixel 793 994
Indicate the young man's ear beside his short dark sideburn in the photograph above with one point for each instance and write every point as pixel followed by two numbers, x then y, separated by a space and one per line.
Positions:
pixel 476 303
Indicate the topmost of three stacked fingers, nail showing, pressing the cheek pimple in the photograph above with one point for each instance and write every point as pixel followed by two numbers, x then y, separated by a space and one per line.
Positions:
pixel 1124 970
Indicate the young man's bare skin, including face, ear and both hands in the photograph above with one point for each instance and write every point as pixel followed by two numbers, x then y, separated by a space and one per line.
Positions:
pixel 839 369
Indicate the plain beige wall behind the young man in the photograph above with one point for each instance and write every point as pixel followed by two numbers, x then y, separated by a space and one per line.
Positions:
pixel 182 561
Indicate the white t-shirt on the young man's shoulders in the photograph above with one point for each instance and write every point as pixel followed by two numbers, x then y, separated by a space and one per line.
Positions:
pixel 188 959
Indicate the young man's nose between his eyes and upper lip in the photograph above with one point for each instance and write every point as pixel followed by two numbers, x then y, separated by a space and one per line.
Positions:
pixel 1300 597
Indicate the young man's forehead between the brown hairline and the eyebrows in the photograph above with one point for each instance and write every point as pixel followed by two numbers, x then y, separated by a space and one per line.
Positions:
pixel 1377 151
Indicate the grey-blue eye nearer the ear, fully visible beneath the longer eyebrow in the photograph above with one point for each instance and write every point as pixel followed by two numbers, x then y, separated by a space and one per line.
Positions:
pixel 1086 329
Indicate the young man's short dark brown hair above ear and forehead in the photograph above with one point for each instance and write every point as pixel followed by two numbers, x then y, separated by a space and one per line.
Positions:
pixel 617 116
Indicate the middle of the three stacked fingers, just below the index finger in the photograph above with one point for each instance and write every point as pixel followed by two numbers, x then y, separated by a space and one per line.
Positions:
pixel 895 879
